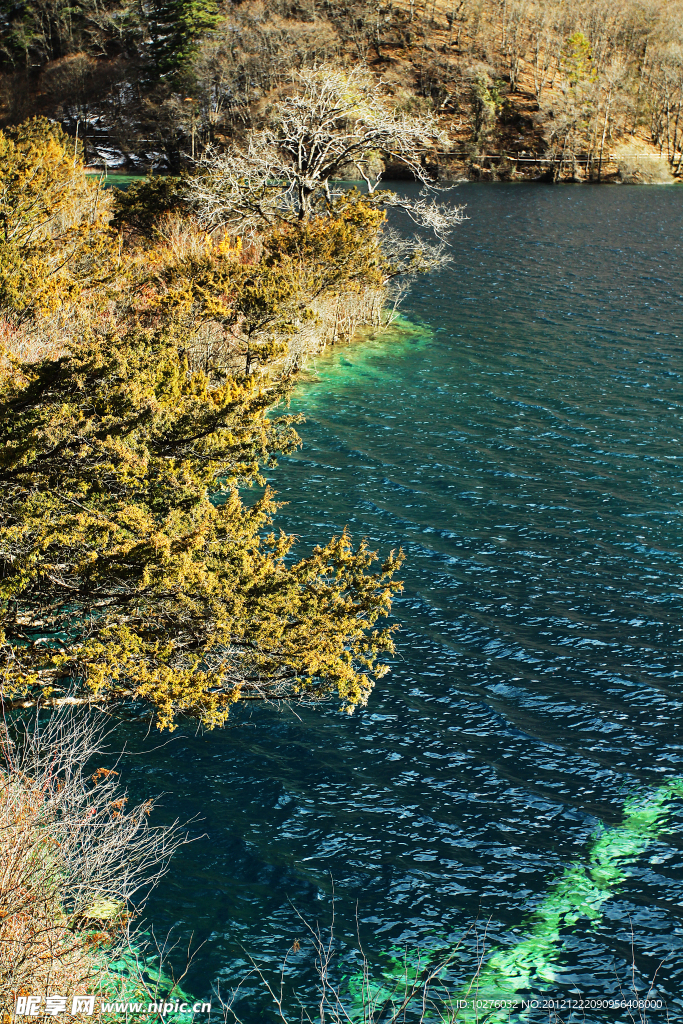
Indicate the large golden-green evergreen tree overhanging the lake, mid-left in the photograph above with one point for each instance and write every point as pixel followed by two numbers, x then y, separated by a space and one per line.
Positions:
pixel 131 569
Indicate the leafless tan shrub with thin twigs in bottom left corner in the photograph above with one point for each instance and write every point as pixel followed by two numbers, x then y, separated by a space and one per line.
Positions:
pixel 75 862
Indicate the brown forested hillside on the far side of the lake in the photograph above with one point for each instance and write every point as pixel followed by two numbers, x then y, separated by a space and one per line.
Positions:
pixel 153 83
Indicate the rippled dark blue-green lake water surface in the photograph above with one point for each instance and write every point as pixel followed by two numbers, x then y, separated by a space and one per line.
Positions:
pixel 523 443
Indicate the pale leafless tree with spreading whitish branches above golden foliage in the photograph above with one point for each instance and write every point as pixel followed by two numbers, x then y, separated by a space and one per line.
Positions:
pixel 335 125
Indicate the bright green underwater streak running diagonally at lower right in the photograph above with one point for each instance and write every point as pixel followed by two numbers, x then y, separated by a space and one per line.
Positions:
pixel 533 964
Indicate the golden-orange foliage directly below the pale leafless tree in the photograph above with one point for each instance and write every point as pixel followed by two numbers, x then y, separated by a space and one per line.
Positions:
pixel 193 279
